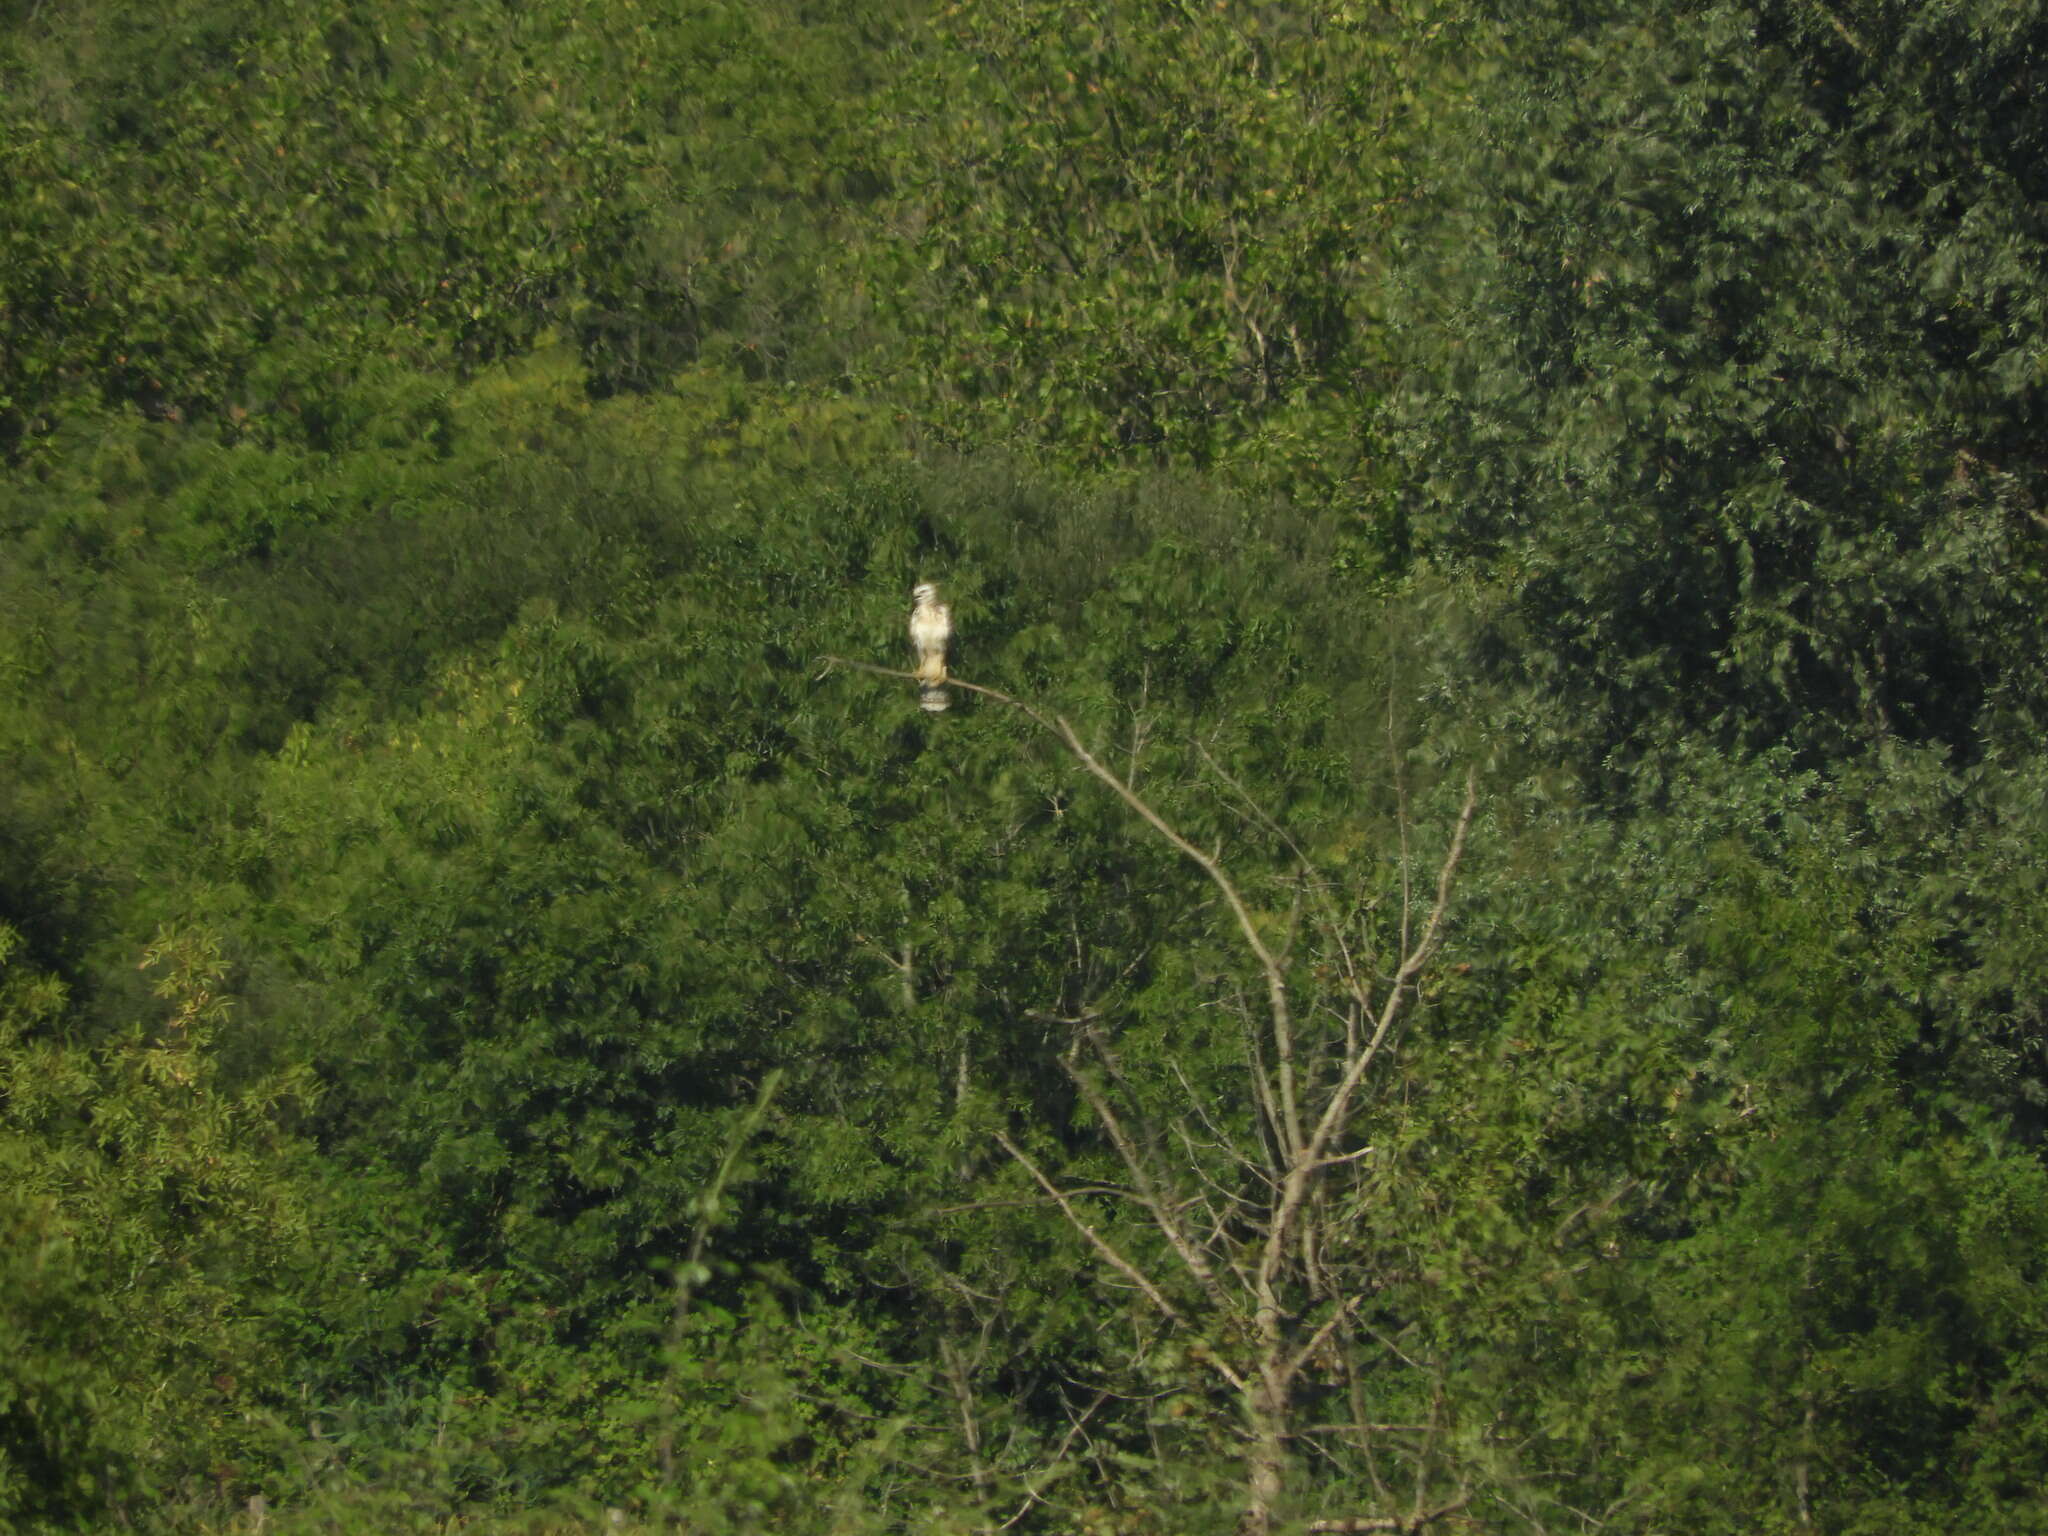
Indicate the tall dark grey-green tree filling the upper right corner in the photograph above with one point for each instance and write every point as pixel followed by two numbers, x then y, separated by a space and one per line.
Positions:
pixel 1727 355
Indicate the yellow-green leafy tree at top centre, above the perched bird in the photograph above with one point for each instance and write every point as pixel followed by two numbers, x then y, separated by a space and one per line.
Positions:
pixel 1150 232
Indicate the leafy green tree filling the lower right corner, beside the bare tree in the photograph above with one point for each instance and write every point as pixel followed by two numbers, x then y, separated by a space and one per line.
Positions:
pixel 1721 1056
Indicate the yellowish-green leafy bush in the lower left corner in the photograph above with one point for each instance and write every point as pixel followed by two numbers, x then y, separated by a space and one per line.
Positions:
pixel 153 1207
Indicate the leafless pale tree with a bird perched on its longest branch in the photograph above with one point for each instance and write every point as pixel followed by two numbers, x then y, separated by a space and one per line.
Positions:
pixel 1261 1269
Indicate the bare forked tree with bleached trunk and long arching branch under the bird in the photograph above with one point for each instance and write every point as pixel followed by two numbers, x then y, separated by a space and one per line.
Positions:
pixel 1256 1261
